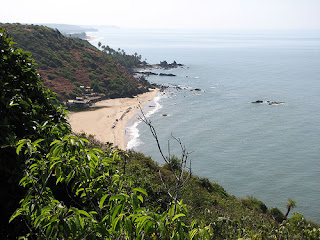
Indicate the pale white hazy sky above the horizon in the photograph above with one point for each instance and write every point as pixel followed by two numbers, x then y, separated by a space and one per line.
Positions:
pixel 216 14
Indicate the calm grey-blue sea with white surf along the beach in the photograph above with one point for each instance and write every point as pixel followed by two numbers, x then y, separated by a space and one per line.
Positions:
pixel 268 151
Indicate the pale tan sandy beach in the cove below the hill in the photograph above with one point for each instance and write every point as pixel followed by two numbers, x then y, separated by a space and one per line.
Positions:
pixel 108 123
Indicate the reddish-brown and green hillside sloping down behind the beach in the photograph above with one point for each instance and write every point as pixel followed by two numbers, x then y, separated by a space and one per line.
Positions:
pixel 65 64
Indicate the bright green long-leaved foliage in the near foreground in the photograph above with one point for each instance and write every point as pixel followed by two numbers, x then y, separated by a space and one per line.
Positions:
pixel 102 204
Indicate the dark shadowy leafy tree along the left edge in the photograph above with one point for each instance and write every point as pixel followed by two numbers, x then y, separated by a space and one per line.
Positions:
pixel 26 111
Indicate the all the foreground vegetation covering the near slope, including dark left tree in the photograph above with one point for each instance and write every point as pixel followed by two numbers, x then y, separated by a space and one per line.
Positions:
pixel 73 187
